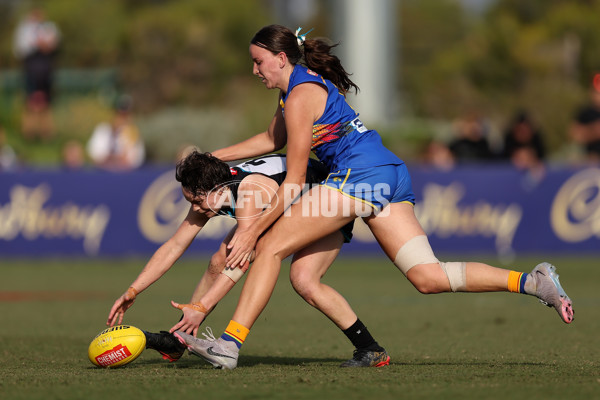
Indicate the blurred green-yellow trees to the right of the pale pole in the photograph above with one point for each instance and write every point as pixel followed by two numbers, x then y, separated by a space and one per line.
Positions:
pixel 538 55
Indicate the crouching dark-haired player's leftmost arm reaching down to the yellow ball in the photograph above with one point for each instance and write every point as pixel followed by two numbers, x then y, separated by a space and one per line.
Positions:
pixel 160 262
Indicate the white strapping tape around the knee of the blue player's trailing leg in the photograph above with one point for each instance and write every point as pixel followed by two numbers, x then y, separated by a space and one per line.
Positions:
pixel 418 251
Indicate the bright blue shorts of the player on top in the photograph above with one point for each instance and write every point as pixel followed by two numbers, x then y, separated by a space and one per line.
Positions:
pixel 376 186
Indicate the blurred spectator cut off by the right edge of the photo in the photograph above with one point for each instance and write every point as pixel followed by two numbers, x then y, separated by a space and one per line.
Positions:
pixel 585 128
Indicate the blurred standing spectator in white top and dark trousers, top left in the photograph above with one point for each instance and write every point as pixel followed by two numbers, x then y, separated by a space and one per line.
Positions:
pixel 36 42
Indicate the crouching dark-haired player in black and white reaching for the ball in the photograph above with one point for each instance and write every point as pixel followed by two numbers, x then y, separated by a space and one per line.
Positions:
pixel 213 188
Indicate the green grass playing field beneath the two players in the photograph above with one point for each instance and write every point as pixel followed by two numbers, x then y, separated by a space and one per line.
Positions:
pixel 449 346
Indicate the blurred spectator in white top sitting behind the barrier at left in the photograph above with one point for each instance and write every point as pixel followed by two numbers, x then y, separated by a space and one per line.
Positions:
pixel 117 145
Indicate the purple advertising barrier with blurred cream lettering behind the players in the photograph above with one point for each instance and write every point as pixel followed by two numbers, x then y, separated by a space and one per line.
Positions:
pixel 483 209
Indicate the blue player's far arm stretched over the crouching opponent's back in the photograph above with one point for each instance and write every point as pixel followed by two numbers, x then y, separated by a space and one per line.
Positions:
pixel 271 140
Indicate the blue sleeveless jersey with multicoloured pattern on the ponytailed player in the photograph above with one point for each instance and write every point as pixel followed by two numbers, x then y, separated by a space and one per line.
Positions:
pixel 340 140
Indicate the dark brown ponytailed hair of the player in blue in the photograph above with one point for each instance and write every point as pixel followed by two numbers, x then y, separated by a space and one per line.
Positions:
pixel 314 53
